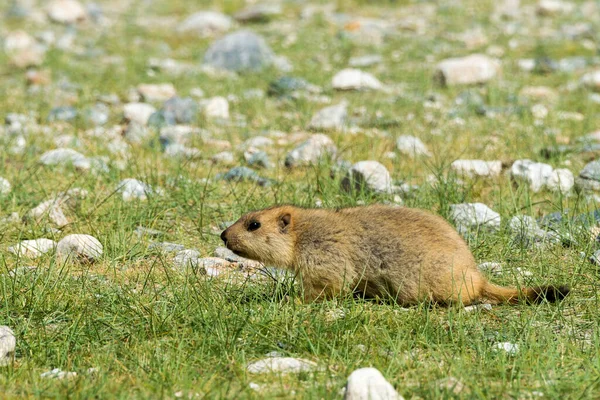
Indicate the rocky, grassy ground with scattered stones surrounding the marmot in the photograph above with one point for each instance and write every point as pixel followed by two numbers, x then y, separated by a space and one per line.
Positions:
pixel 136 131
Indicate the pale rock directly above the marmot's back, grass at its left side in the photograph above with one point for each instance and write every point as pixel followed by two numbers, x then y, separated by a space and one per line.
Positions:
pixel 369 175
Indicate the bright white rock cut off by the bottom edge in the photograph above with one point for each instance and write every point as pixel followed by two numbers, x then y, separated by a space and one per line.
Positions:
pixel 369 384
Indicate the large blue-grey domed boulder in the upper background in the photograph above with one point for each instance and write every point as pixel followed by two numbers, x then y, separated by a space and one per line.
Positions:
pixel 239 51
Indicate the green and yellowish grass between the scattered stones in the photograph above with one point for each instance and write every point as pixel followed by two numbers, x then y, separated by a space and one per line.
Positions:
pixel 154 332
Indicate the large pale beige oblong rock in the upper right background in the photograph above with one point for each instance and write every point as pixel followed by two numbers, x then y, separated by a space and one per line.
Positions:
pixel 473 69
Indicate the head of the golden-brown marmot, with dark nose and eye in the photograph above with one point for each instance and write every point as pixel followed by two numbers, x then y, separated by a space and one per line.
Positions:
pixel 266 236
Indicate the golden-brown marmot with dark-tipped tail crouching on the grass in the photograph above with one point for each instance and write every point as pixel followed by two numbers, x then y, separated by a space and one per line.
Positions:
pixel 376 251
